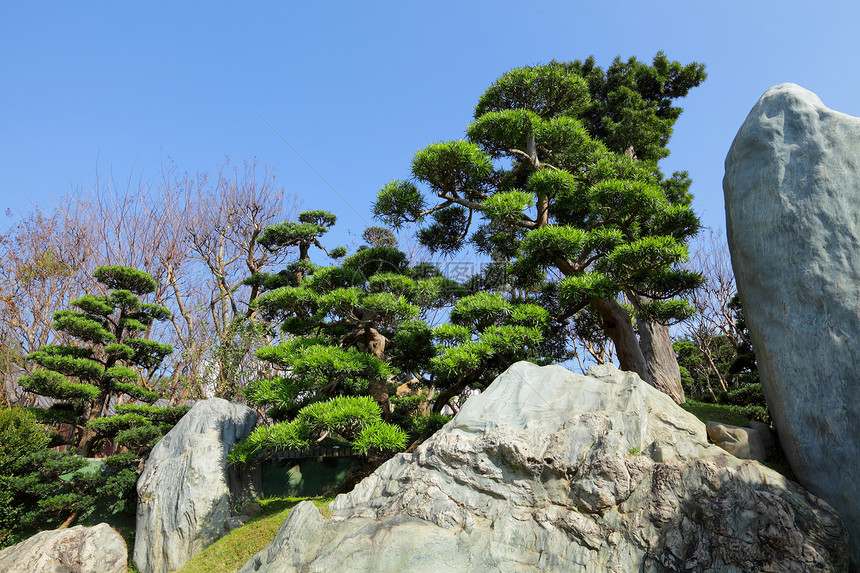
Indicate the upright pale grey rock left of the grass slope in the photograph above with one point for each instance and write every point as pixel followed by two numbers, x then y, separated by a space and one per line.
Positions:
pixel 186 490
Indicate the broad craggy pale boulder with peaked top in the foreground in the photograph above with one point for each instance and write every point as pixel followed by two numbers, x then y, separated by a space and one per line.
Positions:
pixel 552 471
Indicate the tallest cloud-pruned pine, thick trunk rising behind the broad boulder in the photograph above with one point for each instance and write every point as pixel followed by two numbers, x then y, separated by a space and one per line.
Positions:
pixel 558 182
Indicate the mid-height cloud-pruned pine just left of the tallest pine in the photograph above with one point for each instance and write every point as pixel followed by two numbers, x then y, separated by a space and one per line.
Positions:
pixel 348 333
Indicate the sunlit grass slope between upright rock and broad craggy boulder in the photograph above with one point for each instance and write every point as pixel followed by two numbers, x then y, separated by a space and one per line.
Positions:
pixel 234 549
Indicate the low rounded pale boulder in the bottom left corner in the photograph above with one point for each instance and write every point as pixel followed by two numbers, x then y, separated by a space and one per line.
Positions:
pixel 78 549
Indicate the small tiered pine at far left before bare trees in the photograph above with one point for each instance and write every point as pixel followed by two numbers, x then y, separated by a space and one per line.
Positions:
pixel 107 351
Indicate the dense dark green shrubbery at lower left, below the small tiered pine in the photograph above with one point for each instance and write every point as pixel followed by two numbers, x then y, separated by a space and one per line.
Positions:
pixel 41 488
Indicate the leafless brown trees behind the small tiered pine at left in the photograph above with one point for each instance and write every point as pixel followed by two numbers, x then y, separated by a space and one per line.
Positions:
pixel 194 234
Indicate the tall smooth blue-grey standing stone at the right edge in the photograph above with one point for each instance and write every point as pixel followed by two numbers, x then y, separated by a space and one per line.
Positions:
pixel 792 190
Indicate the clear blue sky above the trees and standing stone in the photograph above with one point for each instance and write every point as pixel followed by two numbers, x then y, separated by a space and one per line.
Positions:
pixel 356 88
